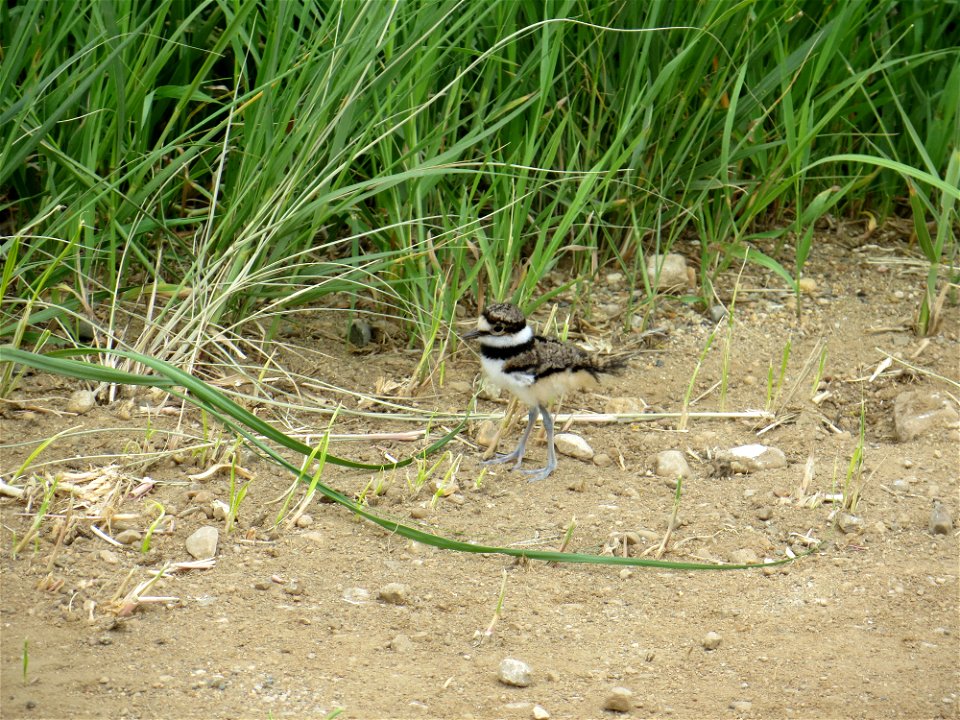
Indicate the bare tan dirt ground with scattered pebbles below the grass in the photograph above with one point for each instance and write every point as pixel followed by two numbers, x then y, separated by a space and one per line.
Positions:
pixel 290 622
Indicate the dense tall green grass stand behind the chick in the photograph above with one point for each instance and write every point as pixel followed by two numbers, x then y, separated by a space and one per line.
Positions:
pixel 171 171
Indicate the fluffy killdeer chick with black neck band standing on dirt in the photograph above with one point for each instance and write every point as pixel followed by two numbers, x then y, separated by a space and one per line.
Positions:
pixel 535 369
